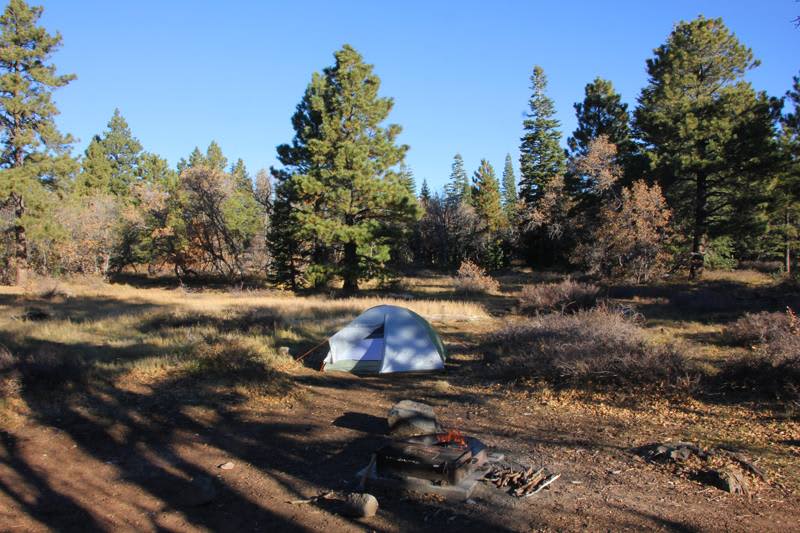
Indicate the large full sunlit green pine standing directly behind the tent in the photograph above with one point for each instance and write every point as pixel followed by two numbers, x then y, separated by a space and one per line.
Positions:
pixel 343 166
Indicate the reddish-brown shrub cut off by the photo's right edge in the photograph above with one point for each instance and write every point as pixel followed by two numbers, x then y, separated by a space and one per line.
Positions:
pixel 773 367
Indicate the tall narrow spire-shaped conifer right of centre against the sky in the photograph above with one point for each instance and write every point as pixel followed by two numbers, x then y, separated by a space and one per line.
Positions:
pixel 541 155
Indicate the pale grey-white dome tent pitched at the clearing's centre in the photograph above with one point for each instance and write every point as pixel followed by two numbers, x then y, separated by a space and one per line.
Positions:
pixel 385 339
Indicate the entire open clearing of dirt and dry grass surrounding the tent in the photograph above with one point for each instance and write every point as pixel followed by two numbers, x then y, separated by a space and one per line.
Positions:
pixel 143 393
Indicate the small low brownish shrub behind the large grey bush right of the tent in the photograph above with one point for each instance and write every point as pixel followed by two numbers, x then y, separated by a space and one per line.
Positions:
pixel 566 296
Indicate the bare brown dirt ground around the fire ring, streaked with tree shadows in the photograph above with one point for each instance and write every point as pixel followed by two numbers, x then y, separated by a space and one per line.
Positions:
pixel 145 456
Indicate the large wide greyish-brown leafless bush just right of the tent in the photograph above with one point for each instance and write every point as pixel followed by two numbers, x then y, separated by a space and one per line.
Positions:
pixel 596 346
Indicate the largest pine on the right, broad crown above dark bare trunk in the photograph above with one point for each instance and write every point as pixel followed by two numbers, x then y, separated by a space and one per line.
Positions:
pixel 708 134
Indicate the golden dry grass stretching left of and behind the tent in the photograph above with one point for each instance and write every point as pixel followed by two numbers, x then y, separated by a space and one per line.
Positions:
pixel 101 333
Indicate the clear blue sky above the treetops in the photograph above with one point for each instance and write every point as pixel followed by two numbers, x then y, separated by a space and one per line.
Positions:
pixel 184 73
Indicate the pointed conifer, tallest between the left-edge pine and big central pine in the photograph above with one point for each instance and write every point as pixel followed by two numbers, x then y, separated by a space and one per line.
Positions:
pixel 123 151
